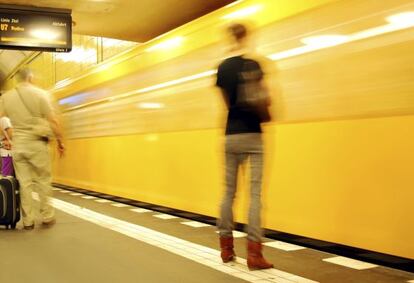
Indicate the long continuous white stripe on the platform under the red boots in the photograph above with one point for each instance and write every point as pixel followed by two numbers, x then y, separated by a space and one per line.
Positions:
pixel 192 251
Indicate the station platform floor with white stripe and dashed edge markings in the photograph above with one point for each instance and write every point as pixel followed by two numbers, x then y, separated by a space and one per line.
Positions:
pixel 99 241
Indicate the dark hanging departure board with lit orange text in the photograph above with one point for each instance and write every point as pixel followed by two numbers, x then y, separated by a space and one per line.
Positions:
pixel 30 28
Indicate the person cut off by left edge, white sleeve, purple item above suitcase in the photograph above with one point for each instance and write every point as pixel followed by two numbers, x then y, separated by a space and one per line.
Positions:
pixel 6 157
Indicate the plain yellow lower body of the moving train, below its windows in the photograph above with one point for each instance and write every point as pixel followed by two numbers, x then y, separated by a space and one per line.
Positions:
pixel 348 182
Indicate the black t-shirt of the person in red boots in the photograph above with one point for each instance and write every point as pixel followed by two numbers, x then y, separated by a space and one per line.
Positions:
pixel 238 120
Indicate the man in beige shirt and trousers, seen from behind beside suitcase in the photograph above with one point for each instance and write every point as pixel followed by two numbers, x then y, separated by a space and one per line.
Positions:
pixel 27 106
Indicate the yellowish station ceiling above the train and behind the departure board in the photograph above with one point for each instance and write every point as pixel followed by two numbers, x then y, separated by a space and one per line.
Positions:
pixel 134 20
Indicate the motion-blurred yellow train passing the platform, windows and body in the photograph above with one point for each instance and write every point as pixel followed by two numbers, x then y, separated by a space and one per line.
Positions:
pixel 149 124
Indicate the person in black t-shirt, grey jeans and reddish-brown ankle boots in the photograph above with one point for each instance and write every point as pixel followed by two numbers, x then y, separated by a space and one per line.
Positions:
pixel 243 141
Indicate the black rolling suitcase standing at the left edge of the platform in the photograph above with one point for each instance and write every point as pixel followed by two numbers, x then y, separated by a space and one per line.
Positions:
pixel 9 202
